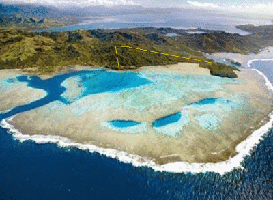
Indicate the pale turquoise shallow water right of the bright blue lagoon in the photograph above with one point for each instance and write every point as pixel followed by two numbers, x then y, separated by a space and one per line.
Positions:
pixel 165 88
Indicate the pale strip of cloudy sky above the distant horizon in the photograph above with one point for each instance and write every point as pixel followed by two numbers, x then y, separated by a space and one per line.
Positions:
pixel 251 6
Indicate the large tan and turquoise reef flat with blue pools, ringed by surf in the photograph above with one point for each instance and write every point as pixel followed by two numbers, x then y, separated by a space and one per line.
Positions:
pixel 164 114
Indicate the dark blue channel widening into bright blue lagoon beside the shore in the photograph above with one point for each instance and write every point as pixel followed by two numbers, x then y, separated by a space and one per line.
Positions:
pixel 53 86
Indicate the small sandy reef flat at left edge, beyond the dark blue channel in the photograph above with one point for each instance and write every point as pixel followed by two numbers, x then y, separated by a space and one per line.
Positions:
pixel 15 93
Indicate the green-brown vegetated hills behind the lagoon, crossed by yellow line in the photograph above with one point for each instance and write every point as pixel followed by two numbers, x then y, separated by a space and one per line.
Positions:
pixel 48 52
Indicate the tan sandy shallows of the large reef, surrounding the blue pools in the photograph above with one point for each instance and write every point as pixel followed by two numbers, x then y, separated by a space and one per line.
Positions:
pixel 83 121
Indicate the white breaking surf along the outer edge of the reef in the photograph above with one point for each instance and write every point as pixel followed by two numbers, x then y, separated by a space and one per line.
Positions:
pixel 243 148
